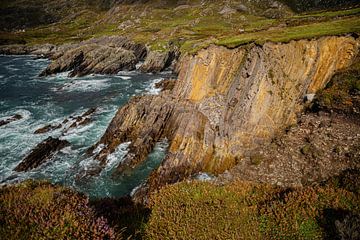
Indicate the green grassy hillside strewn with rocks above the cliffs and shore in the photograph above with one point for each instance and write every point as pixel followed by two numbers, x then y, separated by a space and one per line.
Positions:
pixel 192 27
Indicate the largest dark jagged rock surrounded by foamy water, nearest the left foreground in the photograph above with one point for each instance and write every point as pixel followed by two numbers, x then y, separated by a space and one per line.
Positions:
pixel 41 153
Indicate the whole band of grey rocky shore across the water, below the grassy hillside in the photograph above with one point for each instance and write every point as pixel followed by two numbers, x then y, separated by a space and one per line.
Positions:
pixel 105 55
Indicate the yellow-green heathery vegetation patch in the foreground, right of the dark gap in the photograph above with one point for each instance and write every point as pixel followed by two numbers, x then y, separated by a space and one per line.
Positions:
pixel 245 210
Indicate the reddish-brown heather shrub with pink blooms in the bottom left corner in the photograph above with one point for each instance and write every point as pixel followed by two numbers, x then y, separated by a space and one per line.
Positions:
pixel 39 210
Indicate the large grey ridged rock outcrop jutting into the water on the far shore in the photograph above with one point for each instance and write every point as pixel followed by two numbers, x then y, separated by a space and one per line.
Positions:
pixel 107 55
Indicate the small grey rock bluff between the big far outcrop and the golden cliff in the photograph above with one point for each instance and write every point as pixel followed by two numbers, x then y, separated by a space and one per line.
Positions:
pixel 158 61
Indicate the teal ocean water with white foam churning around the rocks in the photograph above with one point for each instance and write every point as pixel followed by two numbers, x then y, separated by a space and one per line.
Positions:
pixel 50 100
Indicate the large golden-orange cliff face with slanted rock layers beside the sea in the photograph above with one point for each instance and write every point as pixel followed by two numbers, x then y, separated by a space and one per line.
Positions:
pixel 226 103
